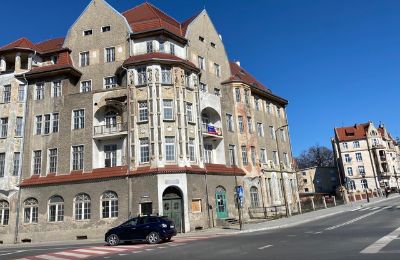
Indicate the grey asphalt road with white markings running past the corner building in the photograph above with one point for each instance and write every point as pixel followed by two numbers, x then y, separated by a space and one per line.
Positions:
pixel 369 233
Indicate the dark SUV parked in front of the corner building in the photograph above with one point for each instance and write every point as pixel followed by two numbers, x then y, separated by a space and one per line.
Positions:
pixel 152 229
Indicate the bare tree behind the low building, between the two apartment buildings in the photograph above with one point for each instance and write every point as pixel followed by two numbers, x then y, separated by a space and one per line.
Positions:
pixel 315 156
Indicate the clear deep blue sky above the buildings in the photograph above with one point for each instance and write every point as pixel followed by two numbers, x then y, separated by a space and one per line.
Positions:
pixel 337 62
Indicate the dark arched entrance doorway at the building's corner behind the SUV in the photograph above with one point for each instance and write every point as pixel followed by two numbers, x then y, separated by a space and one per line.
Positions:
pixel 173 206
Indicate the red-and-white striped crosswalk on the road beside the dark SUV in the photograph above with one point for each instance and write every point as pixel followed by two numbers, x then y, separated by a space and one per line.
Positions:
pixel 104 251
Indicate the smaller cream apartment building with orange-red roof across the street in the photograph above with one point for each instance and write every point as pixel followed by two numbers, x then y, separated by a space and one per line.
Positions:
pixel 367 157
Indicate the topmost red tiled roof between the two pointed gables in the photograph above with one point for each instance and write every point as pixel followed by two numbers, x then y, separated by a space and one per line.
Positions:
pixel 147 17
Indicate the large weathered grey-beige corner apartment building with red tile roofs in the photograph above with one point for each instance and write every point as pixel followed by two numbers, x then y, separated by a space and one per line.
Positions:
pixel 134 113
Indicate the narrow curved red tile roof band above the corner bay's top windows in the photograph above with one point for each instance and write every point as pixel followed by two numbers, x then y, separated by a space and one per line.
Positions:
pixel 158 56
